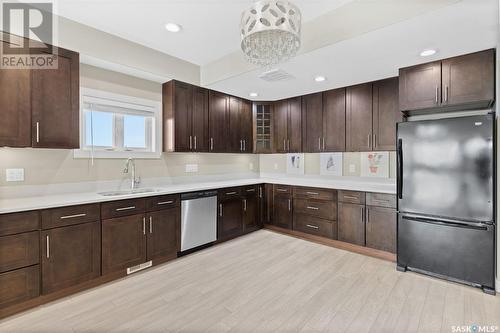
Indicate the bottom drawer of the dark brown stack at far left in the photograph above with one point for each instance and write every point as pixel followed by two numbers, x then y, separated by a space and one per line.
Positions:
pixel 19 285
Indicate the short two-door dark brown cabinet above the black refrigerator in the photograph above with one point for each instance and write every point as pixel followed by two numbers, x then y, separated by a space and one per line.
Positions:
pixel 459 83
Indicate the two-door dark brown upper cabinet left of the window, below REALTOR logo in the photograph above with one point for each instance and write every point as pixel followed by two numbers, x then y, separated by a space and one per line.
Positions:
pixel 40 107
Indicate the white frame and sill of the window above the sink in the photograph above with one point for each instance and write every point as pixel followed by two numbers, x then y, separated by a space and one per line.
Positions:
pixel 152 110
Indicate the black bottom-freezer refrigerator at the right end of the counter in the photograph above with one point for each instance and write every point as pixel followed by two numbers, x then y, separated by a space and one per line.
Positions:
pixel 446 199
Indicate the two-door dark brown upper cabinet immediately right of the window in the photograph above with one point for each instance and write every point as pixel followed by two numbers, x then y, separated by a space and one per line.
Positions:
pixel 185 117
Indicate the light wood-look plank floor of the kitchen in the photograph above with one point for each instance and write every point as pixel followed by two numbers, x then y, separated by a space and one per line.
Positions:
pixel 267 282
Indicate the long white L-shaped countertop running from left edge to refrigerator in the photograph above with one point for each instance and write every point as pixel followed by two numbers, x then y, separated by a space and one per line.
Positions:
pixel 77 198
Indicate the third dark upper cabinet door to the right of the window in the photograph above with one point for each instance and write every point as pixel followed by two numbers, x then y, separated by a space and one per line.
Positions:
pixel 218 120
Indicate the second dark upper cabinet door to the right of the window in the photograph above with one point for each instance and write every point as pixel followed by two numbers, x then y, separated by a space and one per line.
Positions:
pixel 200 119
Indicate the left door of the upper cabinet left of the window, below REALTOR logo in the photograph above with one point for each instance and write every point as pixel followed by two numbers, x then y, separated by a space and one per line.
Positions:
pixel 15 110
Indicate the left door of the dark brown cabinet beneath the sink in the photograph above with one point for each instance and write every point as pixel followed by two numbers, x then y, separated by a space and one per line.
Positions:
pixel 123 243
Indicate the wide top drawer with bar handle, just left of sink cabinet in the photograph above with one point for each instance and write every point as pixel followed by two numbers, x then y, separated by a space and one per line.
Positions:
pixel 58 217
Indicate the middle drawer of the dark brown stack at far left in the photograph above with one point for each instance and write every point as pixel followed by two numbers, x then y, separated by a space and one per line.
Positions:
pixel 21 250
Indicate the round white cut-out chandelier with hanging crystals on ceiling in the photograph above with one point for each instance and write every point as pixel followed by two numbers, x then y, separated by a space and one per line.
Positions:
pixel 270 32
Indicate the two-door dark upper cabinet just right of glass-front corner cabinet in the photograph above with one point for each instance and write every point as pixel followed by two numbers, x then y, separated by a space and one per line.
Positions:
pixel 287 122
